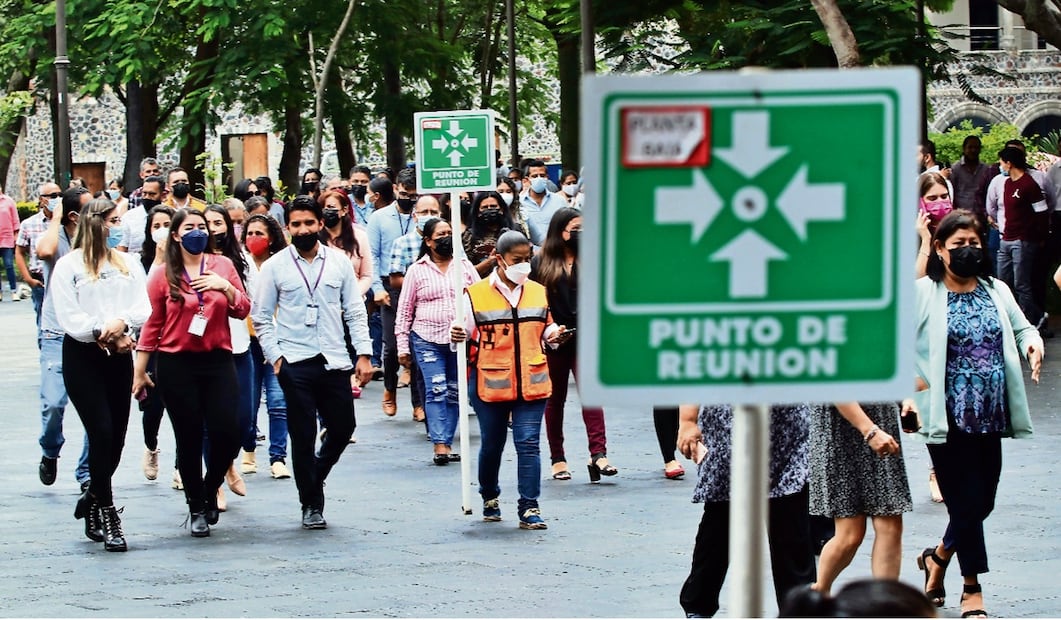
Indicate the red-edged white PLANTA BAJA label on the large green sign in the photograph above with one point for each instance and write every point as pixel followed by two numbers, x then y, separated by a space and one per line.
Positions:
pixel 667 136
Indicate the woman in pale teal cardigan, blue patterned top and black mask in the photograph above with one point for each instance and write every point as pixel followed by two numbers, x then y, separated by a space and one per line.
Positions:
pixel 970 338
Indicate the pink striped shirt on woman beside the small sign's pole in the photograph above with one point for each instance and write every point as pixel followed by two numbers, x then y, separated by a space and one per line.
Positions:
pixel 427 304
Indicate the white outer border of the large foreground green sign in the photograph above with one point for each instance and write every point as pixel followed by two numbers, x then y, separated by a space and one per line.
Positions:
pixel 905 82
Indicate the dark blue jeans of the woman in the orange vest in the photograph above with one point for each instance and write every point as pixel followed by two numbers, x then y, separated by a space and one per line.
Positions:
pixel 527 435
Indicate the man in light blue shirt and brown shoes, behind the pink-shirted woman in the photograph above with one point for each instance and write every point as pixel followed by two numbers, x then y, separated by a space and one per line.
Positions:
pixel 386 226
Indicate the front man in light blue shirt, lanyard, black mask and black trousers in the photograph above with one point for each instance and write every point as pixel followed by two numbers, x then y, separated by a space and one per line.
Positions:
pixel 314 294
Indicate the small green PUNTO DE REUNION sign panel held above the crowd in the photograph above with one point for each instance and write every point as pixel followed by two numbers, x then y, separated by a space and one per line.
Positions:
pixel 455 151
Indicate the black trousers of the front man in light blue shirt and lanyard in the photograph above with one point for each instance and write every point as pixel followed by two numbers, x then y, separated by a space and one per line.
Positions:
pixel 311 390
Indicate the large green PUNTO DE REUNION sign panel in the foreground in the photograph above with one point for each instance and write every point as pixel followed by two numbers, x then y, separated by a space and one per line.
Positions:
pixel 749 238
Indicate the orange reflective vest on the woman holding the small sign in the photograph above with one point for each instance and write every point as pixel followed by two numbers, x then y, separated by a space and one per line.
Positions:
pixel 509 356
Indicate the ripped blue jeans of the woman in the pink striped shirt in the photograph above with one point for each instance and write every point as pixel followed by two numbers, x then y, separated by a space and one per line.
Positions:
pixel 439 383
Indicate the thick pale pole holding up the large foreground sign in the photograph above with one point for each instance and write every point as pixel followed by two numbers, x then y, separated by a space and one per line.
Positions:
pixel 750 480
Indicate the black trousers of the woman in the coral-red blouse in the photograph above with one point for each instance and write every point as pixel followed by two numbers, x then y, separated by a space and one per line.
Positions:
pixel 200 391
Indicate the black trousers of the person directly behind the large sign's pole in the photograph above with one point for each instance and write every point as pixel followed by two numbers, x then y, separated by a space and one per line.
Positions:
pixel 792 556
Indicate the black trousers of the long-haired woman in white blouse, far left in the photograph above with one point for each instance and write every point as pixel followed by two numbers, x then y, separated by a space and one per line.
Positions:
pixel 99 387
